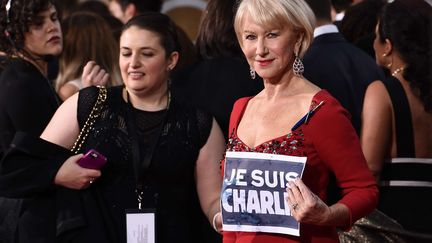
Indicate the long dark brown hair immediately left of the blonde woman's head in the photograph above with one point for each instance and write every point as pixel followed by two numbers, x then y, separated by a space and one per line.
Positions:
pixel 216 36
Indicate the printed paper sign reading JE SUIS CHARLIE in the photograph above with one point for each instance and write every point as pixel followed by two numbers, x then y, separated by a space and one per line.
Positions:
pixel 254 192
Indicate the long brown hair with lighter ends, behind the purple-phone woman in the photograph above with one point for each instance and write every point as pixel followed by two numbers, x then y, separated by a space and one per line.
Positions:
pixel 88 38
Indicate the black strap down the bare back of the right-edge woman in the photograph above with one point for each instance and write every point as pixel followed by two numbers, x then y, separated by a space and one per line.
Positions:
pixel 403 120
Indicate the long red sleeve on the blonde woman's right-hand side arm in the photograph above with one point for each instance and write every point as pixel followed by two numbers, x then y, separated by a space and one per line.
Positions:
pixel 338 146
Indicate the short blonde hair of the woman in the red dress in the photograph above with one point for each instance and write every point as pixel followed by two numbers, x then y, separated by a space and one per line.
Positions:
pixel 278 13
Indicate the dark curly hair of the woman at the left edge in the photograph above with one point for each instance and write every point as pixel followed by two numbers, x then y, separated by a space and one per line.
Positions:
pixel 16 22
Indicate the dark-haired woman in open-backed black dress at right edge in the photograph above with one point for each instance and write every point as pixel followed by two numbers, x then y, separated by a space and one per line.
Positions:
pixel 403 114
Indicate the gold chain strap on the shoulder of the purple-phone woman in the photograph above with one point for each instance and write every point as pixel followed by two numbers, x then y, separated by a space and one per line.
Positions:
pixel 95 113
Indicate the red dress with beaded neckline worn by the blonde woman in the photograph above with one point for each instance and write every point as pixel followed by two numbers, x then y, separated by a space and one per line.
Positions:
pixel 331 145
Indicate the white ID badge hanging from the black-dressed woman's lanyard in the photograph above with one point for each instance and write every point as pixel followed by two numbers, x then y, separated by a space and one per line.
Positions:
pixel 141 225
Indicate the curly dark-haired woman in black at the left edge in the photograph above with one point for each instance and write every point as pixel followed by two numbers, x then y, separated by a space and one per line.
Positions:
pixel 30 35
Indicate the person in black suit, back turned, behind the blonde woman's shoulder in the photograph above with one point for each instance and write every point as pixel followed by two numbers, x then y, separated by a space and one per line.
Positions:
pixel 334 64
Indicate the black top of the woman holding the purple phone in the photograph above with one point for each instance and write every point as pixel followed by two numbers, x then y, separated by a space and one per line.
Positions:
pixel 168 183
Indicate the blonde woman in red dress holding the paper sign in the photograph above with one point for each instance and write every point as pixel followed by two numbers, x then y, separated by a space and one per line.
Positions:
pixel 274 35
